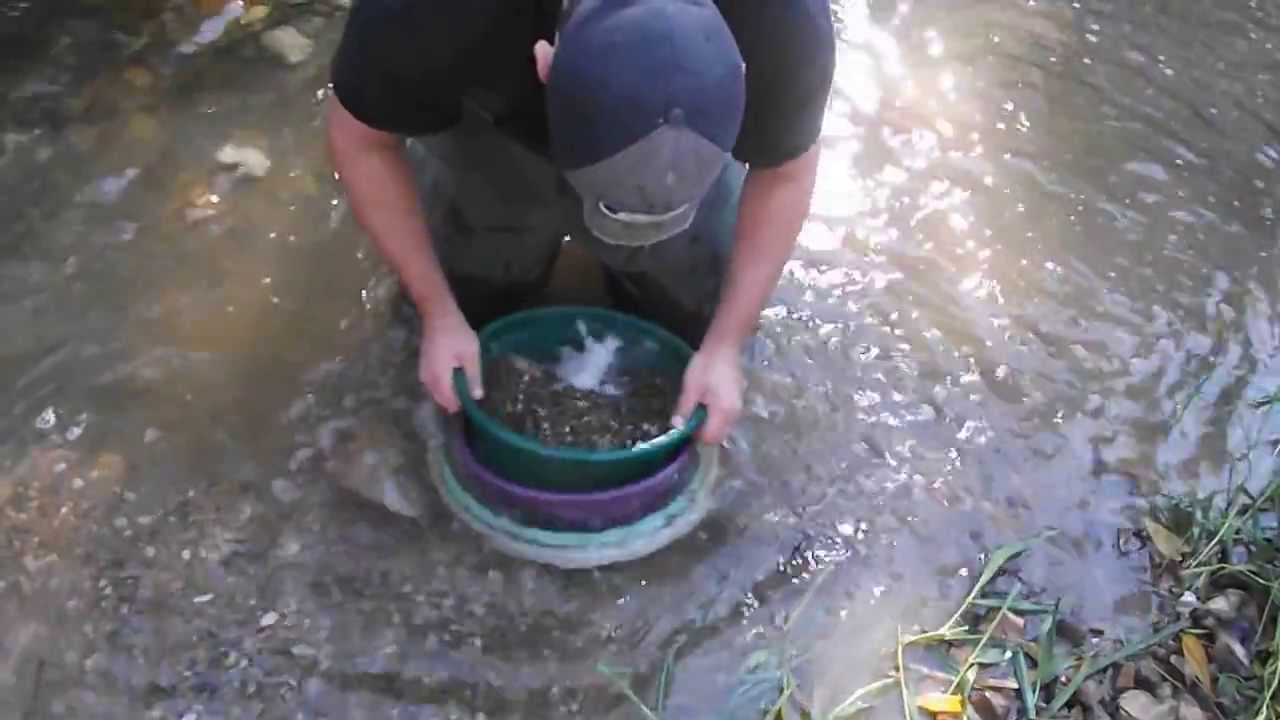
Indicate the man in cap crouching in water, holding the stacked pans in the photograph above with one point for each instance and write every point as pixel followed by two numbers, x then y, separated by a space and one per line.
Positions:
pixel 676 140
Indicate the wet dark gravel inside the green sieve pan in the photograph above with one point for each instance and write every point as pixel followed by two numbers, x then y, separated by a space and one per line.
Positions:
pixel 532 400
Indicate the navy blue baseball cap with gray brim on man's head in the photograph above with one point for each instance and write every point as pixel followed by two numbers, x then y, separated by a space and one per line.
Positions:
pixel 644 101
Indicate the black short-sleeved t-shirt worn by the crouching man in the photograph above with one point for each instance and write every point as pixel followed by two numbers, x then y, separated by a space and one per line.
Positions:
pixel 409 66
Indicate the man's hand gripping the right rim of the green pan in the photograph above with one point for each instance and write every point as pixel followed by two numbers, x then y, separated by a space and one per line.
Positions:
pixel 714 379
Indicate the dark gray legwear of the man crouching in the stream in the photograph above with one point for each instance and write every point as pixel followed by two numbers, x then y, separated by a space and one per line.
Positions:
pixel 500 215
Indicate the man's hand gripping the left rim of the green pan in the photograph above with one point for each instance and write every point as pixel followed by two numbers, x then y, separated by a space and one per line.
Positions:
pixel 449 343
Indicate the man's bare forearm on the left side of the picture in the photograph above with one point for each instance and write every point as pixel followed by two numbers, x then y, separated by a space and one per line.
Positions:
pixel 386 203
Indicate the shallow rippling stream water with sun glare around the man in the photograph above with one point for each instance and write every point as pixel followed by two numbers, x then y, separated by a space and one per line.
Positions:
pixel 1039 288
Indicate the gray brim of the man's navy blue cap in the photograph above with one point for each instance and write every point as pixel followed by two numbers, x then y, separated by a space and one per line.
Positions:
pixel 650 192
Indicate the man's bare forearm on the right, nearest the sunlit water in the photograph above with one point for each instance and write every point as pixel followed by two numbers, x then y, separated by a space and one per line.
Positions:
pixel 772 209
